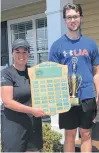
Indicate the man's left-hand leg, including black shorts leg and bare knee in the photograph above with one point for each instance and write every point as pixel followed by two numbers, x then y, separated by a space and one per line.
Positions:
pixel 70 121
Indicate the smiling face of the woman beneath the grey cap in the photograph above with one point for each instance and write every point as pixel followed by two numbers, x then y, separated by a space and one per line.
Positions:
pixel 20 56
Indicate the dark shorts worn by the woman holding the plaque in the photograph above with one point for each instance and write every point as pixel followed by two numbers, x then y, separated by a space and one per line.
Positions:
pixel 20 133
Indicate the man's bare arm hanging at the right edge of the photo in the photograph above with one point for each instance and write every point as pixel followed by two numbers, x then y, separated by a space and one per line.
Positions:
pixel 96 82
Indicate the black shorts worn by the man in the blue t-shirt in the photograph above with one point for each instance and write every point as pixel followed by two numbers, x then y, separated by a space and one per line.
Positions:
pixel 79 116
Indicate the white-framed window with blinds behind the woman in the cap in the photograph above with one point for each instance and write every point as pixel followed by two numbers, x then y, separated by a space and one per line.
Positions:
pixel 35 32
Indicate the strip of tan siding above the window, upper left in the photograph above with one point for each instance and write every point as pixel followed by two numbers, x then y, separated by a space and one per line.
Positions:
pixel 27 10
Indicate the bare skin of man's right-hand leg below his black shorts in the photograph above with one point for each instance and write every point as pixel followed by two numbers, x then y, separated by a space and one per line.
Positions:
pixel 86 142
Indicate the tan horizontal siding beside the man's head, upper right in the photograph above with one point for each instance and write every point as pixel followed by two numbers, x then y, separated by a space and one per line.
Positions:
pixel 90 25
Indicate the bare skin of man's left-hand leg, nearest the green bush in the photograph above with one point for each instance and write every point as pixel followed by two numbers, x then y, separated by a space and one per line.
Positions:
pixel 69 144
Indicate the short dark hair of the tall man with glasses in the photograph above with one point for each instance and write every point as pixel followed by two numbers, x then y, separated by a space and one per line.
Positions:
pixel 75 7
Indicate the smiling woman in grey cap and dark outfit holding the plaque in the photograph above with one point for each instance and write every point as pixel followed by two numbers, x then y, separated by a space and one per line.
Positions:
pixel 21 128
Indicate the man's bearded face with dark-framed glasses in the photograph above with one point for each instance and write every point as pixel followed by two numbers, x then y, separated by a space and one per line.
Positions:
pixel 73 20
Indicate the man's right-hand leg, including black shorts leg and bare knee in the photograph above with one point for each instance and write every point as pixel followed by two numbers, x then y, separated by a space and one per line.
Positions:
pixel 86 121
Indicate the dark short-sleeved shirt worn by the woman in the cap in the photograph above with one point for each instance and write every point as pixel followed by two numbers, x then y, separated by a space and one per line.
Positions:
pixel 20 82
